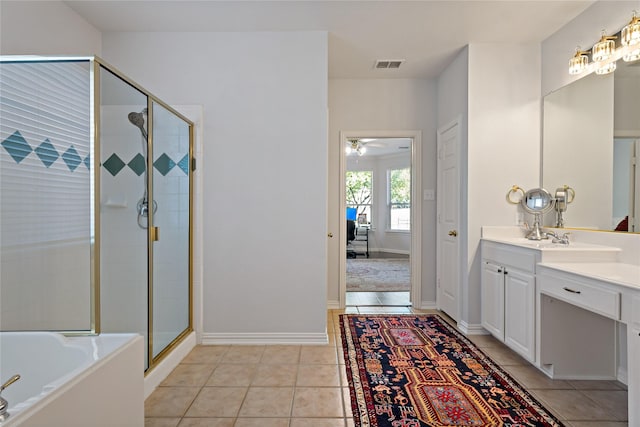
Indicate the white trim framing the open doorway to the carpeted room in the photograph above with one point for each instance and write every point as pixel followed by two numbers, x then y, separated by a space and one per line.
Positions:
pixel 416 208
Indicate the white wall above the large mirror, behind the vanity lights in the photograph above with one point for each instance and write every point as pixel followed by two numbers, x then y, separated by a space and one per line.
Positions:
pixel 583 31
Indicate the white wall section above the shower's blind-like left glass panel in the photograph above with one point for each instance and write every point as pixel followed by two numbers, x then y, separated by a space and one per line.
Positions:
pixel 45 27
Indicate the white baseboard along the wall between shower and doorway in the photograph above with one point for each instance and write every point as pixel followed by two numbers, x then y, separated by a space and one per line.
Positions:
pixel 312 338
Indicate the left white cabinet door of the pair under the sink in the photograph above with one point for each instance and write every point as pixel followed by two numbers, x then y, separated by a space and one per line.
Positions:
pixel 492 308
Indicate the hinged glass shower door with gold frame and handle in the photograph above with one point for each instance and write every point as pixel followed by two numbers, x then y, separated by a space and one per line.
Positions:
pixel 170 233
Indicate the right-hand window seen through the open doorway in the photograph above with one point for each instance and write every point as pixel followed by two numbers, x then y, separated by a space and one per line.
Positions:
pixel 399 196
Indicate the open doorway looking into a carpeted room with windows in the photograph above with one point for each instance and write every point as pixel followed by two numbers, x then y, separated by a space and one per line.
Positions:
pixel 379 200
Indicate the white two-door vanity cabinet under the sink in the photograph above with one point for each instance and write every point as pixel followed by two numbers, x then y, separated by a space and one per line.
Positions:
pixel 508 296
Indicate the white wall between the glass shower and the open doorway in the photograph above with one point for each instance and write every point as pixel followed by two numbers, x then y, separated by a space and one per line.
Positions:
pixel 264 98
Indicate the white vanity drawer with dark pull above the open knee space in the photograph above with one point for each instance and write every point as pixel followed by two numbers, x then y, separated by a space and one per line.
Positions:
pixel 586 295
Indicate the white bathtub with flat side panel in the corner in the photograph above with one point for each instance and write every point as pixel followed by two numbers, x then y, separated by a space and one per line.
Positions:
pixel 73 381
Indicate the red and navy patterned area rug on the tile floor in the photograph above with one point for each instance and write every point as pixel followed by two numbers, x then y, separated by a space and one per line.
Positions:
pixel 418 371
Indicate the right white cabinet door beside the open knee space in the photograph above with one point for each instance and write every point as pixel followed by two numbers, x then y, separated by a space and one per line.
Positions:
pixel 519 313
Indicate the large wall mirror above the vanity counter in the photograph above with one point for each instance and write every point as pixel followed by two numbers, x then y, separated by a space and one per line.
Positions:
pixel 591 130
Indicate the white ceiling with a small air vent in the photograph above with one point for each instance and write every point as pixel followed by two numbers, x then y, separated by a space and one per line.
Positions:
pixel 426 34
